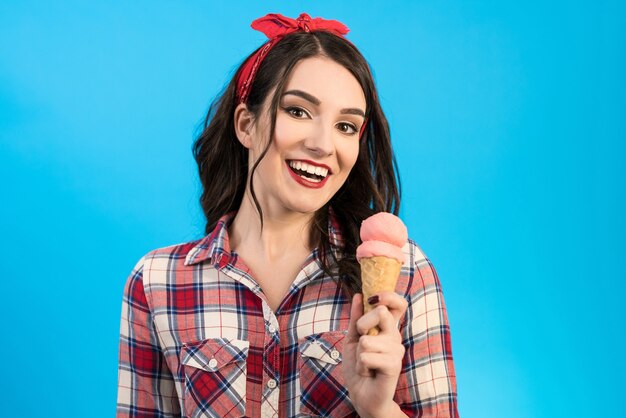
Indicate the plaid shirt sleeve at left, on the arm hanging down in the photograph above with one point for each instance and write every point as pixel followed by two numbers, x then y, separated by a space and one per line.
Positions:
pixel 145 384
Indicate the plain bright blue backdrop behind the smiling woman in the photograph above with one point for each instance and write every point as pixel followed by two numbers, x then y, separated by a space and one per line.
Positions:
pixel 508 120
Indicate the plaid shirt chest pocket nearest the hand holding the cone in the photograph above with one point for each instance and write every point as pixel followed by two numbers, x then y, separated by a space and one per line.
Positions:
pixel 322 389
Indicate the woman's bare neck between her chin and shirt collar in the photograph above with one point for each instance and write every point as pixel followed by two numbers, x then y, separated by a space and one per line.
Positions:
pixel 283 233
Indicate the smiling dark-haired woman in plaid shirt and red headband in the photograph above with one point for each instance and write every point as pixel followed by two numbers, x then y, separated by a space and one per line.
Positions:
pixel 264 315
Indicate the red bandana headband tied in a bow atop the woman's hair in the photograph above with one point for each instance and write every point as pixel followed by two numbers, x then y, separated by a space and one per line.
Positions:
pixel 275 26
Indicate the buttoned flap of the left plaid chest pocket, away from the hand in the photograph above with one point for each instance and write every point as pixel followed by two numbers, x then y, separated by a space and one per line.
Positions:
pixel 214 353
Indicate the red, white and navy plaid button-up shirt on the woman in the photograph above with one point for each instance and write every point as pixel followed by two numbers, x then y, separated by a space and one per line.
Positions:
pixel 198 338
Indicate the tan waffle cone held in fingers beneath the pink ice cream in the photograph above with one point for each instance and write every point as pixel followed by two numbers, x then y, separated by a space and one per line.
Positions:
pixel 378 274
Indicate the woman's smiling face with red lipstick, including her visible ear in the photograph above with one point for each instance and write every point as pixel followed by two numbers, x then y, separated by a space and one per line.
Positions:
pixel 316 141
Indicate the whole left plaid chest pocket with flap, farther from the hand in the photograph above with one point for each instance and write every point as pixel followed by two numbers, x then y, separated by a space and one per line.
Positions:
pixel 215 377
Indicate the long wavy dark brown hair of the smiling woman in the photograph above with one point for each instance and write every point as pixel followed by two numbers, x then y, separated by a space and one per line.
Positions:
pixel 372 185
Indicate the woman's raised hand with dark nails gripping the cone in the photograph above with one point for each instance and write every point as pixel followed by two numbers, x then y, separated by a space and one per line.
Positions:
pixel 372 364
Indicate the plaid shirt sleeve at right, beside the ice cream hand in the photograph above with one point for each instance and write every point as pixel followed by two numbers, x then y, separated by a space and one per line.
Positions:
pixel 427 384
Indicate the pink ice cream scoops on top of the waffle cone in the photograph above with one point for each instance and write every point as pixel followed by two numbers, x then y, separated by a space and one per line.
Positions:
pixel 383 235
